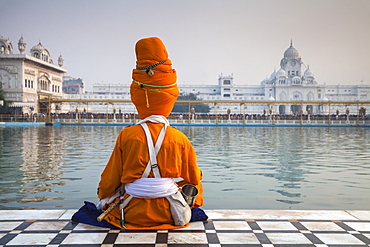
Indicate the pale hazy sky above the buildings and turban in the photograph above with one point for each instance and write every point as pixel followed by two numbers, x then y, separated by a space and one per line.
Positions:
pixel 204 38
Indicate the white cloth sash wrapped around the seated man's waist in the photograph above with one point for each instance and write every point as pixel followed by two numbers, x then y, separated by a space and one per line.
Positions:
pixel 151 187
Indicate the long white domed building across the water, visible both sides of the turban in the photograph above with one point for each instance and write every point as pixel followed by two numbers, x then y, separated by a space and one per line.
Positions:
pixel 294 81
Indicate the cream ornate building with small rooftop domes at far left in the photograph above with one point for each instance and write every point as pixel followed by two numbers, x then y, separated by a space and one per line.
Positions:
pixel 26 78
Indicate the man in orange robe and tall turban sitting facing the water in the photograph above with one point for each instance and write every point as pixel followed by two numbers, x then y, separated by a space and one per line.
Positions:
pixel 154 92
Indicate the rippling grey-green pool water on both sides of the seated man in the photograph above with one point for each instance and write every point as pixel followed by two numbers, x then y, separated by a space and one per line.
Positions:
pixel 243 167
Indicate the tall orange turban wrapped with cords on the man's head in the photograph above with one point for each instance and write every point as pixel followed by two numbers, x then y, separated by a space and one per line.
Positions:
pixel 154 89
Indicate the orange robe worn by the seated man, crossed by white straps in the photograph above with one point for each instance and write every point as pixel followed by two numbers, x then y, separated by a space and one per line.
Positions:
pixel 176 159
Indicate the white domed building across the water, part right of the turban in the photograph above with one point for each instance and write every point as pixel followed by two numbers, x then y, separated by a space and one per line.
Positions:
pixel 286 84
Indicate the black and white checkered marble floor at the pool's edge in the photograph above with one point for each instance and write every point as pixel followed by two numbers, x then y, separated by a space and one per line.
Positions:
pixel 214 232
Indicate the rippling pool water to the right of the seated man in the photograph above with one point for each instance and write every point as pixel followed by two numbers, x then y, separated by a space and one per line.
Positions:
pixel 285 167
